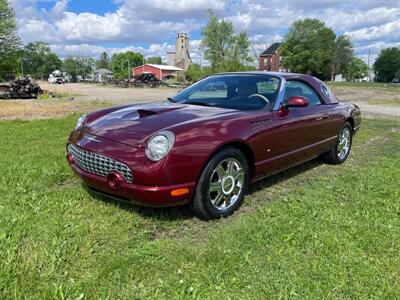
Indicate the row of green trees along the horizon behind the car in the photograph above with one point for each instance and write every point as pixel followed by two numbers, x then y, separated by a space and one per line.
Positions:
pixel 308 47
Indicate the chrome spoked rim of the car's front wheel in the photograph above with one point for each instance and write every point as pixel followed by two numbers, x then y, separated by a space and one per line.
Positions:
pixel 226 184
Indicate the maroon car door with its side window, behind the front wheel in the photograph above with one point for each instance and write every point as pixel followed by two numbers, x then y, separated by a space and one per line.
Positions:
pixel 297 134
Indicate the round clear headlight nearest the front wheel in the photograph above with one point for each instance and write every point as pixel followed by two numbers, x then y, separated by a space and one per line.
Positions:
pixel 159 145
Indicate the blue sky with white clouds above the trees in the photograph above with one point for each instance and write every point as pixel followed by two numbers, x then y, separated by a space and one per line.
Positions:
pixel 88 28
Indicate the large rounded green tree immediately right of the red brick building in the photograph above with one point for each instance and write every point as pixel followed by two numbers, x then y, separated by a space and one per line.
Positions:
pixel 308 48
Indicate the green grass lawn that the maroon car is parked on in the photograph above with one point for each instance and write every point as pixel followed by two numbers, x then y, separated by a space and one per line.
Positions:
pixel 315 231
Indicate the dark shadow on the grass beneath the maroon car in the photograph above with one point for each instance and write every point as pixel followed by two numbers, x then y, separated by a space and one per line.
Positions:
pixel 184 213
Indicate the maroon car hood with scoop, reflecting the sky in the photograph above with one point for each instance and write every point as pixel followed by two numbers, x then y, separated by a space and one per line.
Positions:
pixel 132 125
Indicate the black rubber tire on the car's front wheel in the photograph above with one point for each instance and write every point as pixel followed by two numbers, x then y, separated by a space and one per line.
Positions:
pixel 202 204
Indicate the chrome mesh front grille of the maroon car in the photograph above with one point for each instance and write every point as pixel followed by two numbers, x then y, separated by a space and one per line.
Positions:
pixel 98 164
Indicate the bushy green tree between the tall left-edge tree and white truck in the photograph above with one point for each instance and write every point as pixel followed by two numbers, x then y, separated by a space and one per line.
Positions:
pixel 38 60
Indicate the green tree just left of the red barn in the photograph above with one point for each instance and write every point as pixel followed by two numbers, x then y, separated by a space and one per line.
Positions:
pixel 122 63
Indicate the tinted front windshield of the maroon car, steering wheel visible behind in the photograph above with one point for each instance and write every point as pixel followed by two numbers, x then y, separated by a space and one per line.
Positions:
pixel 236 91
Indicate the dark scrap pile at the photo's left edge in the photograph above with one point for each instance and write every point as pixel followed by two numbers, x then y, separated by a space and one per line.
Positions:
pixel 24 88
